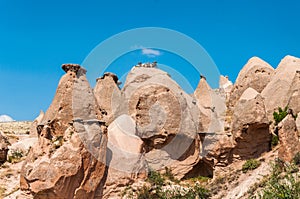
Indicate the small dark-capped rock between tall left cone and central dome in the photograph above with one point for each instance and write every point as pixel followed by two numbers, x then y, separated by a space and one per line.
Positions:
pixel 108 96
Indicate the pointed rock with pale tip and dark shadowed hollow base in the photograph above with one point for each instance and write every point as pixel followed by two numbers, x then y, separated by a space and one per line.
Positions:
pixel 250 126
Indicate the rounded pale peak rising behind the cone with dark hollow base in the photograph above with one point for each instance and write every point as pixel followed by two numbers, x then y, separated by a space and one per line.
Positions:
pixel 255 74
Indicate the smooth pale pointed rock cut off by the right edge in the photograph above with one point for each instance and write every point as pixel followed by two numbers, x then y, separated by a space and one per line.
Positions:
pixel 276 92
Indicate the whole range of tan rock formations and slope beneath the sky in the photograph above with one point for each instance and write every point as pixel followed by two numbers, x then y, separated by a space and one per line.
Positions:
pixel 95 143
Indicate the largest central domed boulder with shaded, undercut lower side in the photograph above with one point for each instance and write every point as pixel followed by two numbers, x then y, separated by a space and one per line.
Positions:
pixel 166 119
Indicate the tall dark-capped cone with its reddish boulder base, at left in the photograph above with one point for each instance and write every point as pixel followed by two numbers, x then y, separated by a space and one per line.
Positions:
pixel 68 161
